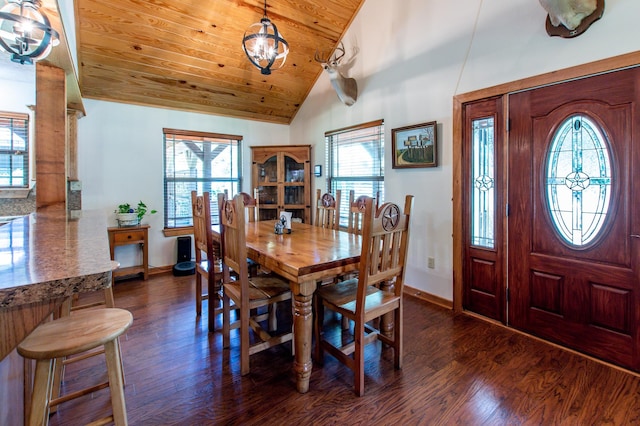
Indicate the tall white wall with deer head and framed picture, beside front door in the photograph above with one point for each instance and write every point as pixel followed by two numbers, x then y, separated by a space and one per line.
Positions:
pixel 412 57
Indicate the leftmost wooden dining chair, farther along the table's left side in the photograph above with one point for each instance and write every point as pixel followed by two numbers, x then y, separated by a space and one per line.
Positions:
pixel 207 252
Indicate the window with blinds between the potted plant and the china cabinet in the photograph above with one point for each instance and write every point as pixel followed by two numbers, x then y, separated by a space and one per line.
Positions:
pixel 204 162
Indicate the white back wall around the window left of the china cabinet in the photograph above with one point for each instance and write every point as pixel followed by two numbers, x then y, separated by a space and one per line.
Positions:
pixel 120 159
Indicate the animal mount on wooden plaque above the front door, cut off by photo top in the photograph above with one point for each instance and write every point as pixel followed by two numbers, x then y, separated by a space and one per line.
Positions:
pixel 570 18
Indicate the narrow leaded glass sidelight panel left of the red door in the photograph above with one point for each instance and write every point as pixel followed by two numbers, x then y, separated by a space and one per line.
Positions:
pixel 483 175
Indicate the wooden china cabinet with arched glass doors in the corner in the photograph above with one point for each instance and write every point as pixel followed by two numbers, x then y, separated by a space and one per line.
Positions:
pixel 282 175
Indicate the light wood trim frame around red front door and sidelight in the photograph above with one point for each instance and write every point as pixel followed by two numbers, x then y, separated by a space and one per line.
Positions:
pixel 580 71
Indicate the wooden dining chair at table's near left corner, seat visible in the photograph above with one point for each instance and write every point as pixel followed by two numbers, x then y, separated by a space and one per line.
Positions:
pixel 248 294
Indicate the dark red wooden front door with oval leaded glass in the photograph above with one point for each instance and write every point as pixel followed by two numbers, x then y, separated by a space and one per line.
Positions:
pixel 573 228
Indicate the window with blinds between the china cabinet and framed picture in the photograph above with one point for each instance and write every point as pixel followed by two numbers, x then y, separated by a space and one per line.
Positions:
pixel 355 161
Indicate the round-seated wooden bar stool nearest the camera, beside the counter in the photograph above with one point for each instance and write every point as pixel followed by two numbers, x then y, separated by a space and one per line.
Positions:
pixel 80 332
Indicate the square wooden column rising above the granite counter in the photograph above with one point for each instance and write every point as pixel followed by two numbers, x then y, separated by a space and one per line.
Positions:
pixel 50 138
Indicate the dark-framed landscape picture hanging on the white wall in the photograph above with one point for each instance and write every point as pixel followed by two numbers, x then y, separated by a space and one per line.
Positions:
pixel 415 146
